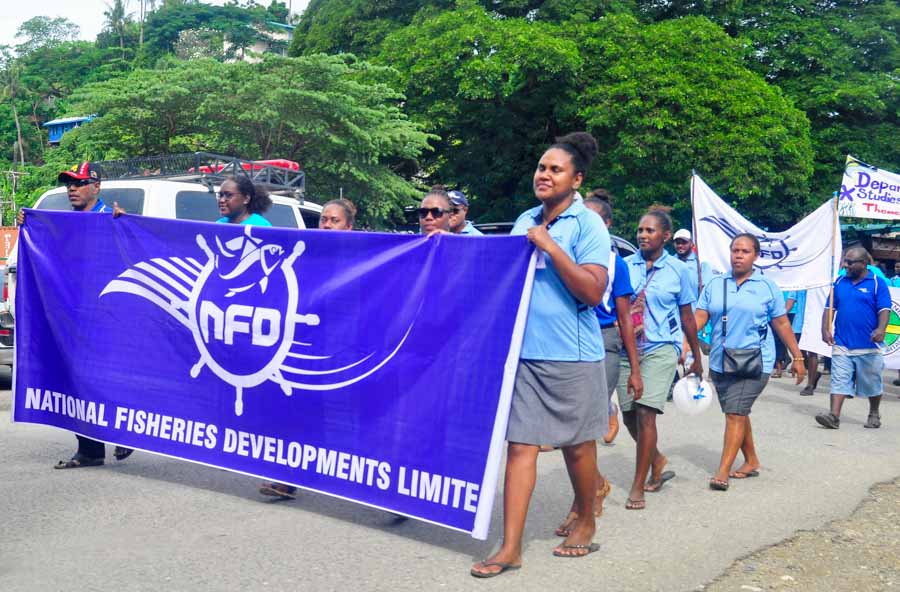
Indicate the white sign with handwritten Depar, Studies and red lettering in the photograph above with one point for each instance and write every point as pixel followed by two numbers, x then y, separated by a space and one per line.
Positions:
pixel 869 192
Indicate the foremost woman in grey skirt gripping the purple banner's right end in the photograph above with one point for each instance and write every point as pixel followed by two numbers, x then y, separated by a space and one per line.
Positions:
pixel 559 396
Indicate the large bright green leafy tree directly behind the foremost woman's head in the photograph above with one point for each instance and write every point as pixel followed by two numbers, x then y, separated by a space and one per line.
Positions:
pixel 662 99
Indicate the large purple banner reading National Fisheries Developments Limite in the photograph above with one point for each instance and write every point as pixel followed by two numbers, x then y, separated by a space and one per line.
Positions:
pixel 373 367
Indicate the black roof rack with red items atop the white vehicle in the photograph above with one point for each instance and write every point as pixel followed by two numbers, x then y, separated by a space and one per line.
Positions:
pixel 282 177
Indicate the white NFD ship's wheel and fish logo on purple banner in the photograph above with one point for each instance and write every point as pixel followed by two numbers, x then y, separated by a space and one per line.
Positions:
pixel 242 343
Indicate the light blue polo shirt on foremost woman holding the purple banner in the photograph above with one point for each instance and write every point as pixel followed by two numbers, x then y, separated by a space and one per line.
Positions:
pixel 560 328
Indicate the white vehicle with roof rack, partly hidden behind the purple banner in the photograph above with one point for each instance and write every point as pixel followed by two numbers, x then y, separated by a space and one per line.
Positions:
pixel 161 198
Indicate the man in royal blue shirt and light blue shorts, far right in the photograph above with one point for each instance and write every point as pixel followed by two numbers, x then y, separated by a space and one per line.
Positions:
pixel 862 303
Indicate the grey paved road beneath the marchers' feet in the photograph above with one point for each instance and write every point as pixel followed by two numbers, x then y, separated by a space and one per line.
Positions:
pixel 153 523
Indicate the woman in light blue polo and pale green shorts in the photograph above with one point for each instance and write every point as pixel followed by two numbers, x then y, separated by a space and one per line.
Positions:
pixel 661 308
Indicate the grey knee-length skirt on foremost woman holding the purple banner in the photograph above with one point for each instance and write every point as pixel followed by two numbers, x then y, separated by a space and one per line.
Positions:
pixel 558 403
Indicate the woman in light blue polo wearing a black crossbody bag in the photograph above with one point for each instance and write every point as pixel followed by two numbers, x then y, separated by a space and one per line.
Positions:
pixel 753 303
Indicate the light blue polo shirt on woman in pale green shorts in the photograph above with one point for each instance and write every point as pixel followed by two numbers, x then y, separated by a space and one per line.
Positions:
pixel 669 289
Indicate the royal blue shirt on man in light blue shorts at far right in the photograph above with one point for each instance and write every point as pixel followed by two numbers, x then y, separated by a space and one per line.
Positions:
pixel 857 307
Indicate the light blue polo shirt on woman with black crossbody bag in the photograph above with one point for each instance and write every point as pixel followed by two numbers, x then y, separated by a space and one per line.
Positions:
pixel 751 308
